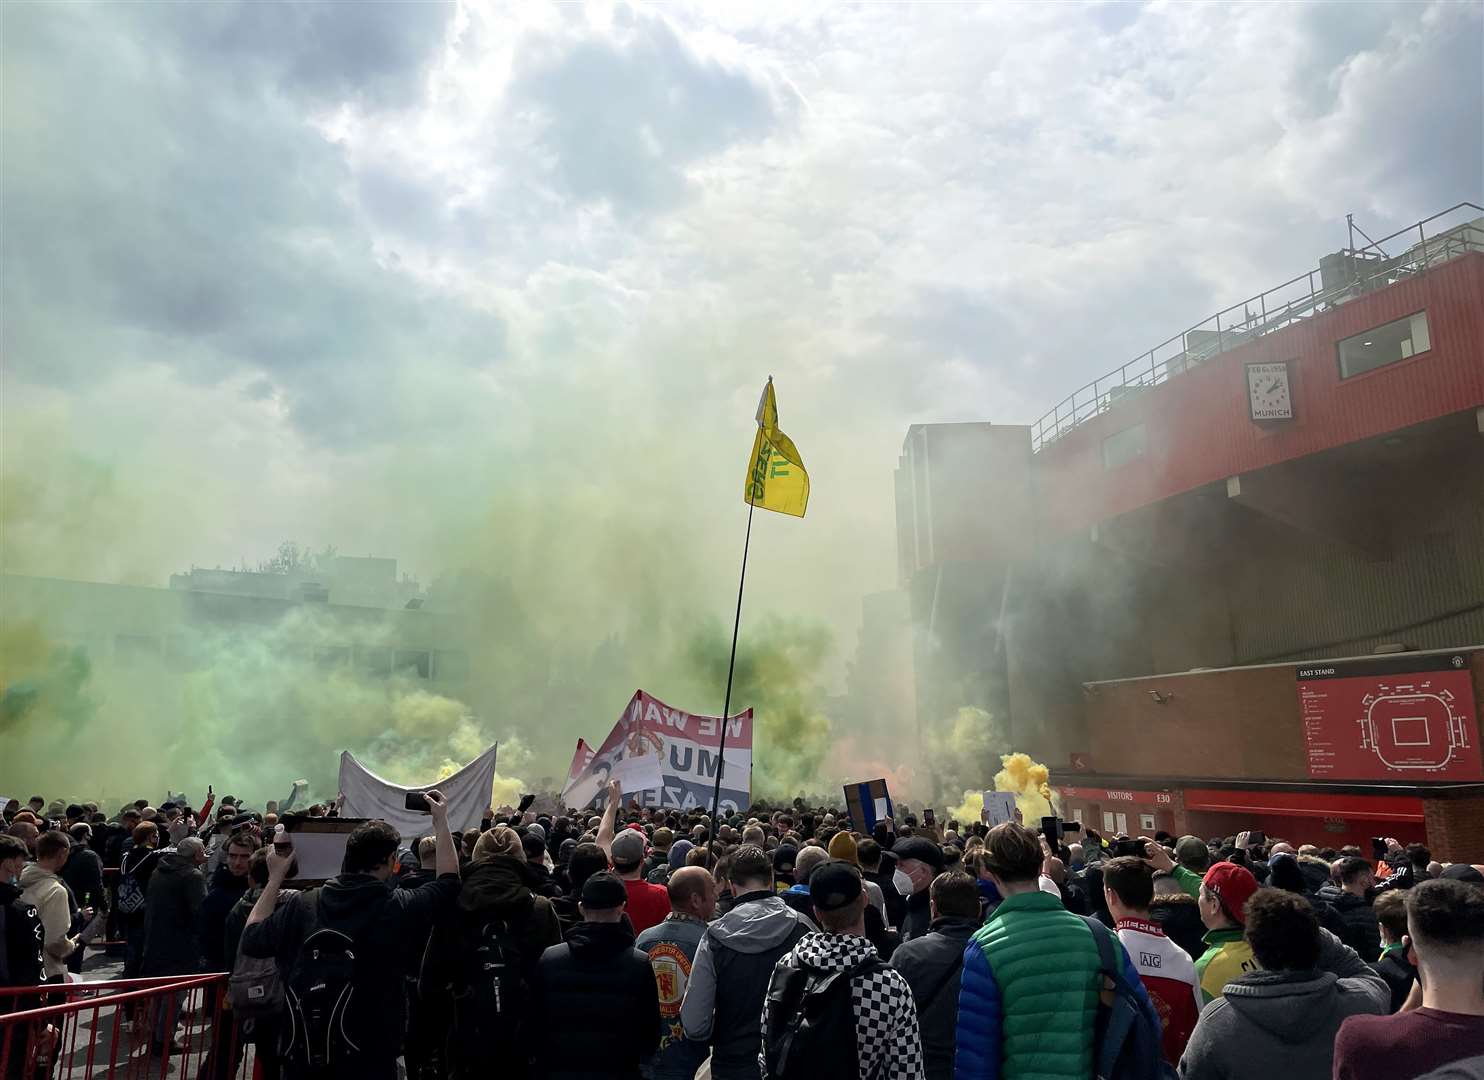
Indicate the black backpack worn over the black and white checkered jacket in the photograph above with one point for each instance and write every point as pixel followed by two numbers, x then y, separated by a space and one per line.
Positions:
pixel 810 1023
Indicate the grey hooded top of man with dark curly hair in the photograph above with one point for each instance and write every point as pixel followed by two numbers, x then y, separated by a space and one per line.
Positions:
pixel 1283 1024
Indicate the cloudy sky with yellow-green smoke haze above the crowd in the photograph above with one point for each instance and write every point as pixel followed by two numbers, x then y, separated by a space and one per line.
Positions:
pixel 467 283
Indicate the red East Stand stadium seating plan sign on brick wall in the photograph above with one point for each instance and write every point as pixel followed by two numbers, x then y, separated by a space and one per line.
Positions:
pixel 1396 719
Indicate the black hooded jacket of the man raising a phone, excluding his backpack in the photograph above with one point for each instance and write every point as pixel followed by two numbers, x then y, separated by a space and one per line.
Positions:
pixel 381 921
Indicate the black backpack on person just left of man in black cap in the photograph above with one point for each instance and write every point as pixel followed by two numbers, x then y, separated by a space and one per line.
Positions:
pixel 492 999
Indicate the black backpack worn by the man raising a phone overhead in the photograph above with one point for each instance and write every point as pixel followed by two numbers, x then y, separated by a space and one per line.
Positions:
pixel 318 999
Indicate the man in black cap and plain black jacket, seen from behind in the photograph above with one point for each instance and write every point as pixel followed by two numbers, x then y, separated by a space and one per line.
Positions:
pixel 596 995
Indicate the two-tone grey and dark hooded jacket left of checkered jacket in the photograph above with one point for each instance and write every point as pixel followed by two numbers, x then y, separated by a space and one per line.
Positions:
pixel 728 983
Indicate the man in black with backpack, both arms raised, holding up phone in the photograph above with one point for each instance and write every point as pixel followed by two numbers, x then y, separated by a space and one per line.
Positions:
pixel 360 926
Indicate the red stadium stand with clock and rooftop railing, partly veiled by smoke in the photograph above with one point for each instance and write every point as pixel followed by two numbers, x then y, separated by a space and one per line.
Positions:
pixel 1240 581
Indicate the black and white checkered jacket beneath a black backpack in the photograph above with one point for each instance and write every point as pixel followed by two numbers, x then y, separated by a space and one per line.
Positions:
pixel 887 1039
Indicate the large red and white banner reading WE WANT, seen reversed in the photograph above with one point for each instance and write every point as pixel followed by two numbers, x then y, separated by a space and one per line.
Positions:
pixel 670 759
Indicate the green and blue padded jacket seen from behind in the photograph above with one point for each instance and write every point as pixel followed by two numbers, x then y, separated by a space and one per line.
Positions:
pixel 1029 995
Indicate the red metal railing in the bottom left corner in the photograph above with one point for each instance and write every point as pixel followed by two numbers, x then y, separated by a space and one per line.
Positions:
pixel 134 1029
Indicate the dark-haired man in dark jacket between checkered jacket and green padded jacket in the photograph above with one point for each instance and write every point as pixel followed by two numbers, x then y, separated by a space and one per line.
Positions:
pixel 933 967
